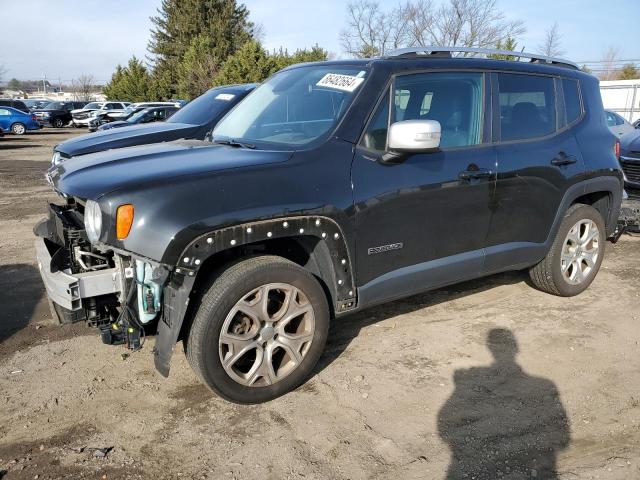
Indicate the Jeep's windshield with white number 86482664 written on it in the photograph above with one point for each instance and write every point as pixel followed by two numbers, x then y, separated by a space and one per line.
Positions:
pixel 294 107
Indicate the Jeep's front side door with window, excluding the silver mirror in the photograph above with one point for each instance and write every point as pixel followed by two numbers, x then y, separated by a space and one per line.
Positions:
pixel 423 222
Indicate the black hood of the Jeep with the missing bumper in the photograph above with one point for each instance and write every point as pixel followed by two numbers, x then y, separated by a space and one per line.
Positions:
pixel 92 176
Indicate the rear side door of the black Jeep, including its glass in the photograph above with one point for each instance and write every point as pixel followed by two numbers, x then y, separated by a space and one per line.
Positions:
pixel 538 159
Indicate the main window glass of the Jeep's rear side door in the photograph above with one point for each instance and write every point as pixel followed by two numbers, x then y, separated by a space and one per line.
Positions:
pixel 527 106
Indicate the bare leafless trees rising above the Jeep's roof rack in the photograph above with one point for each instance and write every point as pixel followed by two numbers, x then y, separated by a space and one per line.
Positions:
pixel 372 31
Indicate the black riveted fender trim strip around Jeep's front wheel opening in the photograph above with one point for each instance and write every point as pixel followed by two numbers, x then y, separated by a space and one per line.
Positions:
pixel 176 293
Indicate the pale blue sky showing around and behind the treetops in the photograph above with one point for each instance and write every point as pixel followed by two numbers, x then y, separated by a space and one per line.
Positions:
pixel 66 38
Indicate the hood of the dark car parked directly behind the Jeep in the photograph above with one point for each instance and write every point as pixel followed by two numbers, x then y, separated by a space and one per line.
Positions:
pixel 125 137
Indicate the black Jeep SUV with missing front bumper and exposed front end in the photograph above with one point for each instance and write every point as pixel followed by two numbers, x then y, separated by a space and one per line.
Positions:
pixel 333 187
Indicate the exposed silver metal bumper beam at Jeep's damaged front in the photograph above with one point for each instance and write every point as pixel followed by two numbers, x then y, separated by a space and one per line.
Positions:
pixel 68 290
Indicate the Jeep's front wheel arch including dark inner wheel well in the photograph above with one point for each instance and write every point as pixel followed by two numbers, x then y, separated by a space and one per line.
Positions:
pixel 316 243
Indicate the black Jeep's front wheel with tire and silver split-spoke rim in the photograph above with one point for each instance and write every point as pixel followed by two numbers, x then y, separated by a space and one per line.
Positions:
pixel 240 378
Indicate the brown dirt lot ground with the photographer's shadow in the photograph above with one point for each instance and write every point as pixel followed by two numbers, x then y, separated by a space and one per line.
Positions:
pixel 516 383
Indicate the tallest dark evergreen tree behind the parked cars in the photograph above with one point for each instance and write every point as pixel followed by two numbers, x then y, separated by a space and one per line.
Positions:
pixel 179 22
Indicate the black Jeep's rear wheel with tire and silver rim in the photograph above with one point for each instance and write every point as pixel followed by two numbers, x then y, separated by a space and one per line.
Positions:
pixel 570 267
